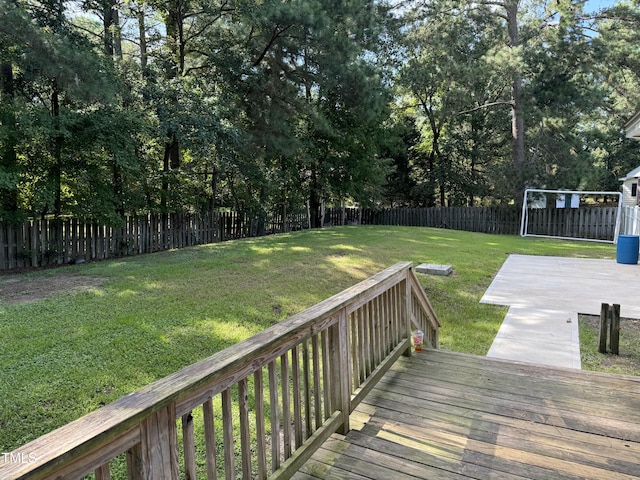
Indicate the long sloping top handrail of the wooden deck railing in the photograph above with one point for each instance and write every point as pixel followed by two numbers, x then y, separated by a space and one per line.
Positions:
pixel 223 368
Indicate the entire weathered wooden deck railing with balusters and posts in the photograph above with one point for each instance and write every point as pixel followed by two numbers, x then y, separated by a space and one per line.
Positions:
pixel 259 408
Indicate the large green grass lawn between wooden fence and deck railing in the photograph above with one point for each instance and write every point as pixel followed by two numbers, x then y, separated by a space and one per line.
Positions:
pixel 142 318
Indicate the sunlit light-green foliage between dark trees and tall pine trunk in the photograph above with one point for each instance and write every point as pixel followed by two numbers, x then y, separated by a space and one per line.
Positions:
pixel 454 74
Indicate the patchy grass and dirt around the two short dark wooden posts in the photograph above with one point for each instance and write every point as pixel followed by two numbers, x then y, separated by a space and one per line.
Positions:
pixel 628 362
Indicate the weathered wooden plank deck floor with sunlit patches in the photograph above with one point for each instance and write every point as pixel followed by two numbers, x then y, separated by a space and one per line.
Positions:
pixel 442 415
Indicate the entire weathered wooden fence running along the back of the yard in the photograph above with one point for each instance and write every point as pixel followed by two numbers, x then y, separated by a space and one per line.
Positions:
pixel 41 243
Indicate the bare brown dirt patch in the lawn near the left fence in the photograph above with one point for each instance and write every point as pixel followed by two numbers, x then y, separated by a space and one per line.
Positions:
pixel 24 288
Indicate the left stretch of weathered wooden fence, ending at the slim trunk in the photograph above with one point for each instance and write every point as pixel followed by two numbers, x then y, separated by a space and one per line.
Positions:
pixel 42 243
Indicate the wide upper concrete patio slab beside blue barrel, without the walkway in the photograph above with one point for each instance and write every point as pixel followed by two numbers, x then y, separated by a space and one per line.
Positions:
pixel 566 284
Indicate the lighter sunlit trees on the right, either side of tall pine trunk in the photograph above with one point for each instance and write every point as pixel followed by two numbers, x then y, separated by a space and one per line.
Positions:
pixel 459 64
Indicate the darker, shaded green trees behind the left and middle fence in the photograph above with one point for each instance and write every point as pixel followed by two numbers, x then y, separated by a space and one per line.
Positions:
pixel 217 107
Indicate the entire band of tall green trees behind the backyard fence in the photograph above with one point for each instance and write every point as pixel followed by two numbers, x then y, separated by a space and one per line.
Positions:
pixel 116 107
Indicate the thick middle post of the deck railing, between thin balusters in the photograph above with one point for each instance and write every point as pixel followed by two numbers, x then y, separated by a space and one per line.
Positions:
pixel 340 369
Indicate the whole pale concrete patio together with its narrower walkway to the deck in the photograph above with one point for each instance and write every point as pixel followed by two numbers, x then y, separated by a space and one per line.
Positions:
pixel 545 295
